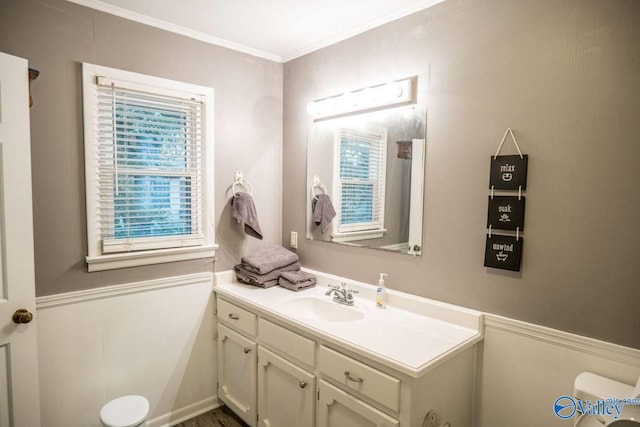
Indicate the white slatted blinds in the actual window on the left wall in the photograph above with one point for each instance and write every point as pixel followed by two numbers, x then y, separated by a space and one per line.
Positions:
pixel 150 168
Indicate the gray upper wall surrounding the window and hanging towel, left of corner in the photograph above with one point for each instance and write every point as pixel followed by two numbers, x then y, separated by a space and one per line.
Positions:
pixel 56 37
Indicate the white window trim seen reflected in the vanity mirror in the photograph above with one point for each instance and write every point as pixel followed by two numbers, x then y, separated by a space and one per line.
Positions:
pixel 343 233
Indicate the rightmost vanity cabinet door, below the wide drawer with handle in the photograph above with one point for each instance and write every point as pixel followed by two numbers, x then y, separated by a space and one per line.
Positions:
pixel 337 408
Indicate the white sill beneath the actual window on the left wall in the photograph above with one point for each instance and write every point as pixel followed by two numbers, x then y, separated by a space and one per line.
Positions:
pixel 133 259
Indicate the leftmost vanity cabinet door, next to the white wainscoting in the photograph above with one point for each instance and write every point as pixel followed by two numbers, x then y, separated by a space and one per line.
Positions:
pixel 237 360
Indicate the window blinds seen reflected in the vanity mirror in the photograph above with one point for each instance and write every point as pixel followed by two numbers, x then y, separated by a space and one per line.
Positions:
pixel 361 180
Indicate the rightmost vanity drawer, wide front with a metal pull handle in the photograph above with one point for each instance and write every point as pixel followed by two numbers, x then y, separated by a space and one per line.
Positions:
pixel 357 376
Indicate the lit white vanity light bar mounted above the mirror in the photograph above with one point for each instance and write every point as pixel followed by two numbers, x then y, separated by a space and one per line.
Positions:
pixel 391 94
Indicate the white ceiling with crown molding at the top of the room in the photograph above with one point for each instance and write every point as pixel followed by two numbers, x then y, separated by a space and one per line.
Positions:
pixel 279 30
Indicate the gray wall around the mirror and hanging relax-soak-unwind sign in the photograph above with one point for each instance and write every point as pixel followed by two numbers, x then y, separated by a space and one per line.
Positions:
pixel 565 76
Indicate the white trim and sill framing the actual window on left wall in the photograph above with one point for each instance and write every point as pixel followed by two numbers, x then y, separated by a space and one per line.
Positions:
pixel 96 260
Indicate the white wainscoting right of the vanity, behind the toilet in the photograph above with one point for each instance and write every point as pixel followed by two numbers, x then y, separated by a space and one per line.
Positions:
pixel 524 368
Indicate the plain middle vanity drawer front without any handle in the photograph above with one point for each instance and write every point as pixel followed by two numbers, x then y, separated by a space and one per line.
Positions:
pixel 287 342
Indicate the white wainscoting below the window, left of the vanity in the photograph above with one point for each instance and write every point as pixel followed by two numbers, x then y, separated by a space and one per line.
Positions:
pixel 153 338
